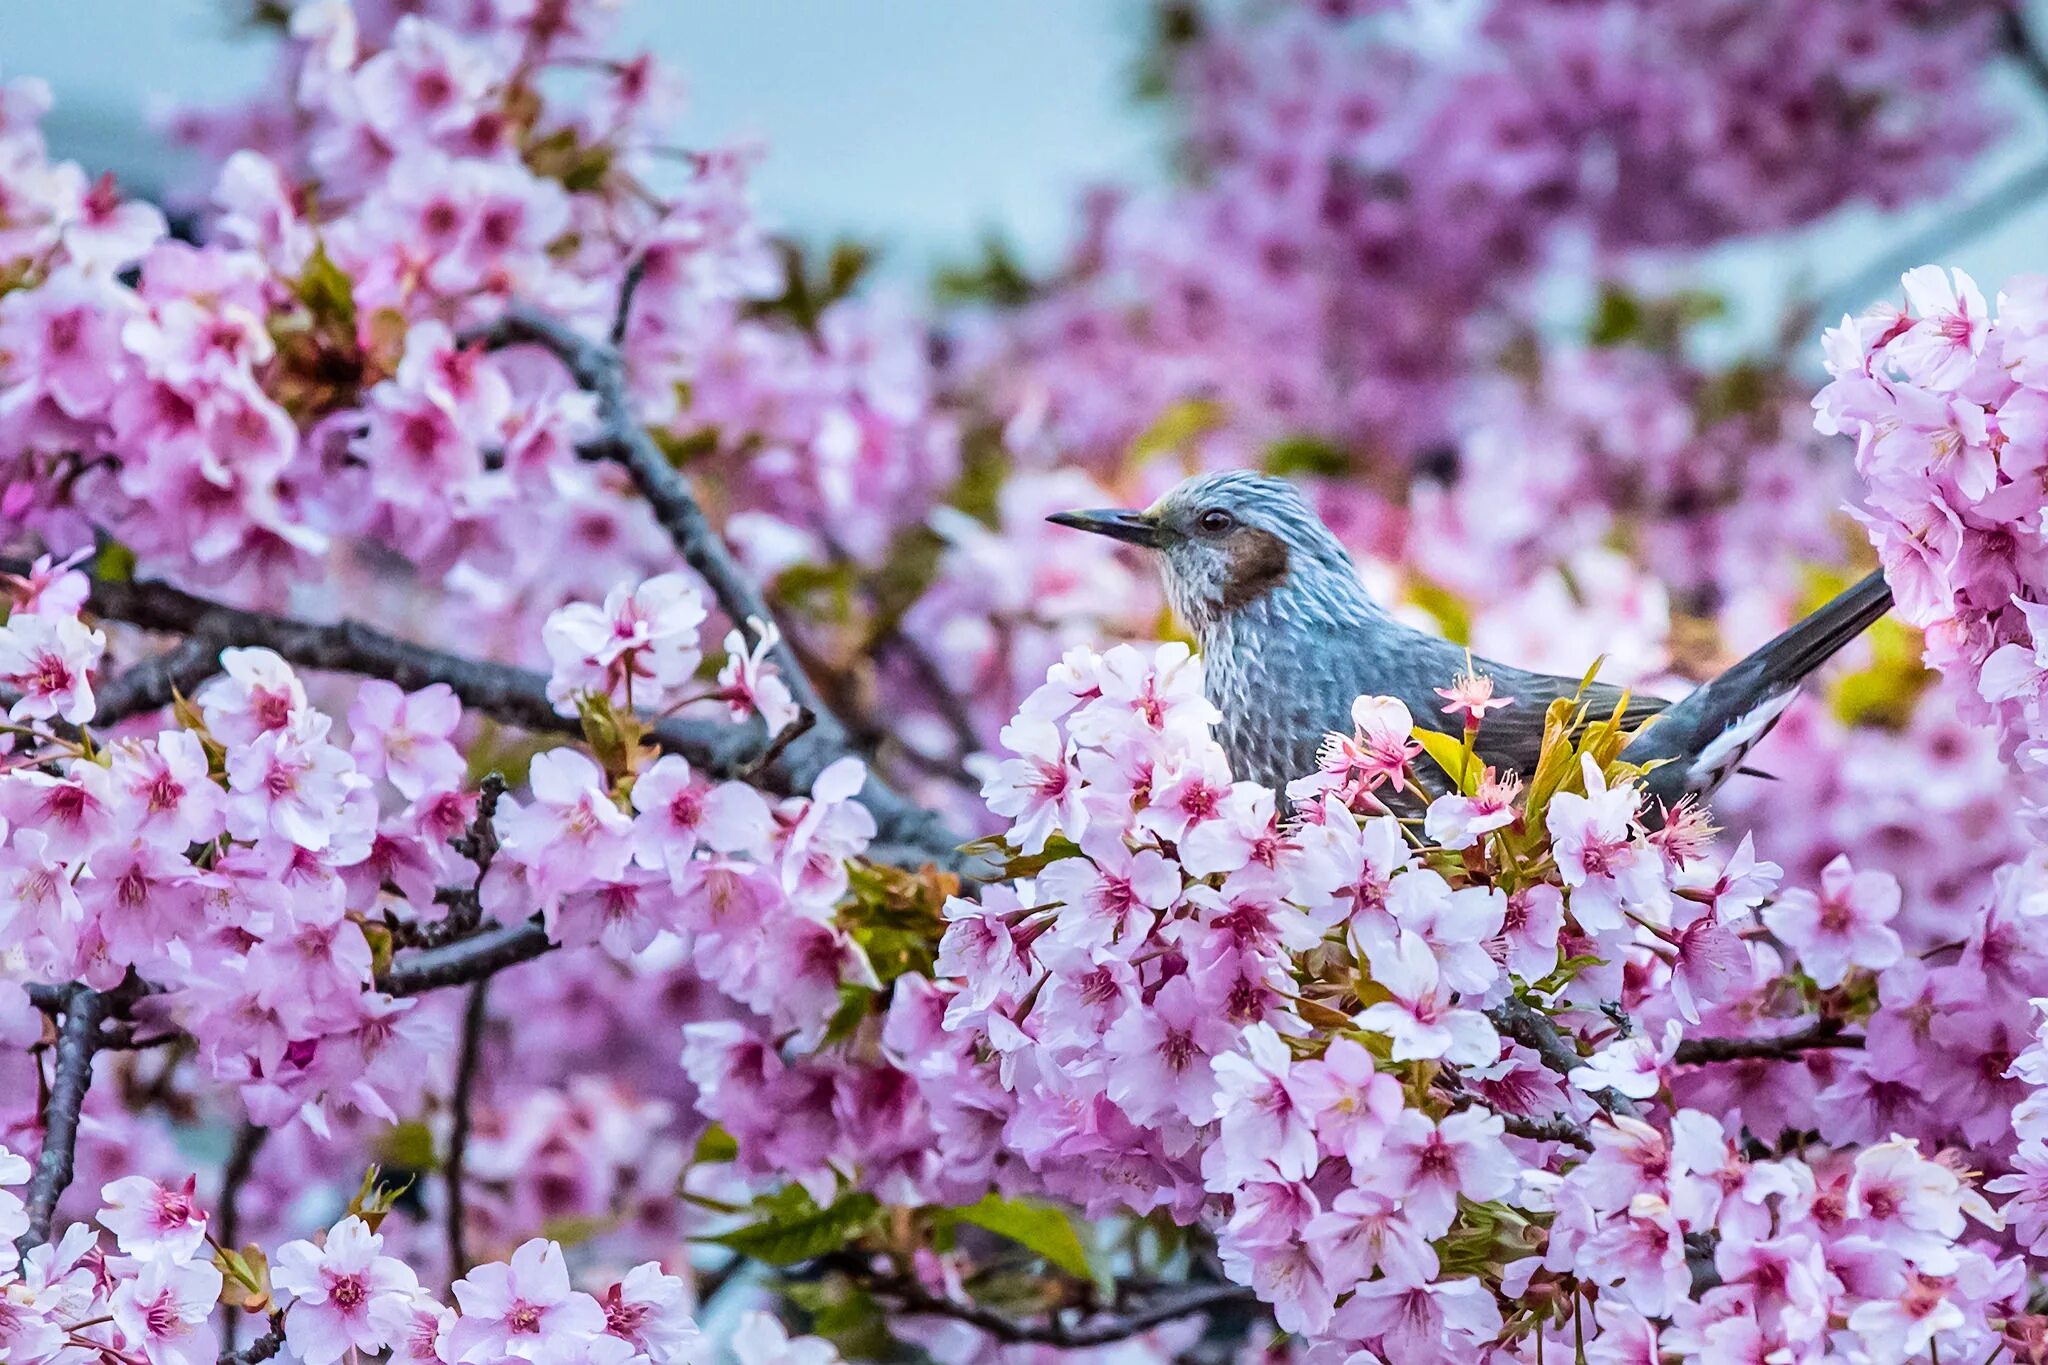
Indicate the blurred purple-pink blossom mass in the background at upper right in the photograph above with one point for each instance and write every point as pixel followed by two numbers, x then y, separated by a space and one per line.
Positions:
pixel 1302 281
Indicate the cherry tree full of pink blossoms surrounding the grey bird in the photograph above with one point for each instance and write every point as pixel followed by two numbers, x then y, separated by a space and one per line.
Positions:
pixel 562 805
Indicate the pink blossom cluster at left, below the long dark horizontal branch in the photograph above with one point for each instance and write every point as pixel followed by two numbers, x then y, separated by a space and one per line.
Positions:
pixel 245 861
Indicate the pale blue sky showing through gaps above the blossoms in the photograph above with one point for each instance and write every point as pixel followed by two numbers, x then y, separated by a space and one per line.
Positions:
pixel 914 124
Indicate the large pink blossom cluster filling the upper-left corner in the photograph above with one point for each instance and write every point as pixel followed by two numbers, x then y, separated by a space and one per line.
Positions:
pixel 300 384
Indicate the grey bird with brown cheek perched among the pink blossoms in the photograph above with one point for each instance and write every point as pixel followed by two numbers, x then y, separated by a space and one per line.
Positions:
pixel 1291 637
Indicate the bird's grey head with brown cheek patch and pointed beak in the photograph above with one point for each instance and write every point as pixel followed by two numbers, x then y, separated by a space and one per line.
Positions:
pixel 1228 541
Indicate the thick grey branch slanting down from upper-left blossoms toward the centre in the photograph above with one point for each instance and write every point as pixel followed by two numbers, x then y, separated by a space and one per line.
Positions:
pixel 601 371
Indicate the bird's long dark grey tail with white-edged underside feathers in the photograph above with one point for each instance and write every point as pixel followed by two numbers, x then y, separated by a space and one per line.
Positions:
pixel 1705 738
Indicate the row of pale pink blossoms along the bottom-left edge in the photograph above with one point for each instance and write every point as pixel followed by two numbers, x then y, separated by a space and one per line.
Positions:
pixel 155 1296
